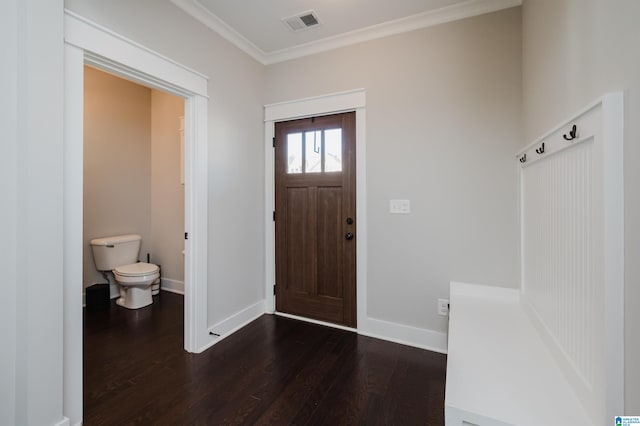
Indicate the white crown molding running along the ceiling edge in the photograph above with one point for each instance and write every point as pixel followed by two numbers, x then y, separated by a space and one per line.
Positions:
pixel 443 15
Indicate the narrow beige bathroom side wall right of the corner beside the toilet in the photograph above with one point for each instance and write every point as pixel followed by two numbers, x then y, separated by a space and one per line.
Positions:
pixel 167 193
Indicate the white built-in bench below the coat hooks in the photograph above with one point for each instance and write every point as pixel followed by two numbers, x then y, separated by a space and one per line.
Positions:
pixel 499 371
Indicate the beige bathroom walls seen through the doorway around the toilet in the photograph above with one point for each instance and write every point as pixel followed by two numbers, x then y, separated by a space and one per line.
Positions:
pixel 133 178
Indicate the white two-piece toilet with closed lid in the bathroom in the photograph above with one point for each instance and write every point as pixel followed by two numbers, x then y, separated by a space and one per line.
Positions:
pixel 119 254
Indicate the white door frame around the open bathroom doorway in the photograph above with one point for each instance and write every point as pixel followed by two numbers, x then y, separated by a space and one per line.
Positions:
pixel 89 43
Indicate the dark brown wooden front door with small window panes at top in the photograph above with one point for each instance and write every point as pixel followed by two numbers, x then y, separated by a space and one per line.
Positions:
pixel 315 218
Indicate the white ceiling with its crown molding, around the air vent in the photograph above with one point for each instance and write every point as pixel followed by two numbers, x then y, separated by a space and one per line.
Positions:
pixel 256 26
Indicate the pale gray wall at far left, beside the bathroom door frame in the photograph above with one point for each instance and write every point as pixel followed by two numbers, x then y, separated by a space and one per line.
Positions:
pixel 31 217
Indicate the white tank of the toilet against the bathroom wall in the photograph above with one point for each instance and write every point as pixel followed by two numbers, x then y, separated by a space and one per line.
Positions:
pixel 119 250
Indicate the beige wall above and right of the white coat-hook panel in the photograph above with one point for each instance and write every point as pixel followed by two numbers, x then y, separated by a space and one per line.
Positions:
pixel 575 51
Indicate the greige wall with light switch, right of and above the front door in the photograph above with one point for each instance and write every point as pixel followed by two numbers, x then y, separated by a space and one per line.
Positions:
pixel 443 124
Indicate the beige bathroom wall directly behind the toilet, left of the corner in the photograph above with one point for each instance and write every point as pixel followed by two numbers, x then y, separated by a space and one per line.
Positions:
pixel 117 166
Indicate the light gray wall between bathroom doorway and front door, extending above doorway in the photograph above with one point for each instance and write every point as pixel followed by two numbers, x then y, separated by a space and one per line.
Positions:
pixel 236 170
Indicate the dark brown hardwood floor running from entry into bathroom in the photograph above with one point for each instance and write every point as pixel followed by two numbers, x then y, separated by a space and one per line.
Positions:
pixel 275 371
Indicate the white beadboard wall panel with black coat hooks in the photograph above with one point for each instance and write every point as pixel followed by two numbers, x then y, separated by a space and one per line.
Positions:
pixel 569 284
